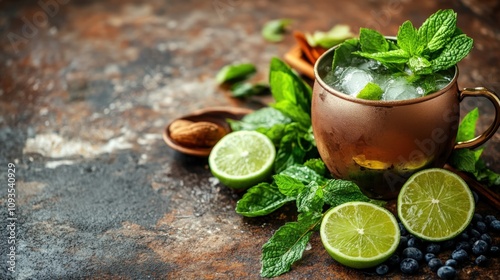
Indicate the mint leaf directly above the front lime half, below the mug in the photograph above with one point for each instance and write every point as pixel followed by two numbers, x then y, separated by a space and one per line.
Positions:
pixel 337 192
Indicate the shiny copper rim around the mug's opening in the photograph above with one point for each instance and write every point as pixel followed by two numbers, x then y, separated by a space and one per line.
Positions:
pixel 382 103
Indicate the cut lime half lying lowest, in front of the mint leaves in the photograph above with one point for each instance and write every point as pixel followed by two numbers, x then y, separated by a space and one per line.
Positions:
pixel 360 234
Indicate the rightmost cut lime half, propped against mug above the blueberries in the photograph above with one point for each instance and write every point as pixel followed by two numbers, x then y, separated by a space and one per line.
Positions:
pixel 435 204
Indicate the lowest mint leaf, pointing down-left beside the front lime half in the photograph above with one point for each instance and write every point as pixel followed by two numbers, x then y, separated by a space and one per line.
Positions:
pixel 287 245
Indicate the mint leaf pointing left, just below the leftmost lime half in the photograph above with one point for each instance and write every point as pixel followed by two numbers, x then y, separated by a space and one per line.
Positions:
pixel 261 200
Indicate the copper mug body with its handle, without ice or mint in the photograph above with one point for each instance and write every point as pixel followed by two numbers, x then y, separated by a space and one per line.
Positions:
pixel 379 144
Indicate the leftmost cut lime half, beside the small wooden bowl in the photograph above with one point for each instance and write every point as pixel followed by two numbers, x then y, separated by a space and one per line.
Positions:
pixel 242 159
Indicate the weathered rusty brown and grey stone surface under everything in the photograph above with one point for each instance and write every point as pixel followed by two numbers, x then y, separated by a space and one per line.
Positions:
pixel 86 90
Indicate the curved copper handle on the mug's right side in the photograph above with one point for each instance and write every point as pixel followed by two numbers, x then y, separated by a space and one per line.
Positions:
pixel 485 136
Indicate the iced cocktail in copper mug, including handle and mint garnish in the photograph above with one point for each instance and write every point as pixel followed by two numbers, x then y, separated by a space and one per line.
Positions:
pixel 377 121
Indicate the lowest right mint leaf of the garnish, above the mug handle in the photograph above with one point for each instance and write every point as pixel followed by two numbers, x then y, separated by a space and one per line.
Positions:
pixel 458 48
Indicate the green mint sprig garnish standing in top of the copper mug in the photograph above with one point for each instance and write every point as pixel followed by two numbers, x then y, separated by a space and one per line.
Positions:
pixel 436 45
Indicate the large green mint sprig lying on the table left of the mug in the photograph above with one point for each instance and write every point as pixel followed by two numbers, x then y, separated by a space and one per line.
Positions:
pixel 300 176
